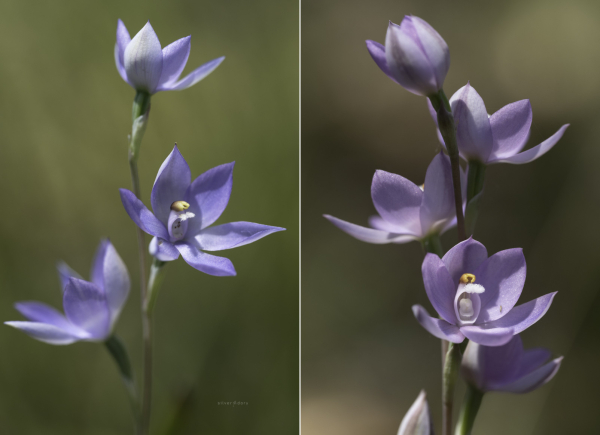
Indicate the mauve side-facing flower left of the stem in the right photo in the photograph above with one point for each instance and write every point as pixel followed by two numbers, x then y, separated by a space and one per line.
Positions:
pixel 407 212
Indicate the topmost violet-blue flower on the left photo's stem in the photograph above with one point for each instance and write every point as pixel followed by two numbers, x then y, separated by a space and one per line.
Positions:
pixel 145 67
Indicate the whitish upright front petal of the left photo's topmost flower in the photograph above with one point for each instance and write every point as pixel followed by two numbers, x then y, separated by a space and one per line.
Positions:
pixel 143 60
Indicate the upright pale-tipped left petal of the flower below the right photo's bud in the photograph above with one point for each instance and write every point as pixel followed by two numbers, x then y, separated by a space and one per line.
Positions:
pixel 473 131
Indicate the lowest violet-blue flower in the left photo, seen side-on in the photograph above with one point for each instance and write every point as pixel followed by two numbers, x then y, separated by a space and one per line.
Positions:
pixel 91 308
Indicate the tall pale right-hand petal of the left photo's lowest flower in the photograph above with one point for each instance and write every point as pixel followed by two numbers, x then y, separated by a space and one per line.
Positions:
pixel 110 275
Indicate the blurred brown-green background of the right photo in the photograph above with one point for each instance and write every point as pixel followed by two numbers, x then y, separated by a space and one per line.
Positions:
pixel 364 357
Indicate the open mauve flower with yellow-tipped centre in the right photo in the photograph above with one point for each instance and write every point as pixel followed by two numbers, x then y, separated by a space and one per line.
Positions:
pixel 475 296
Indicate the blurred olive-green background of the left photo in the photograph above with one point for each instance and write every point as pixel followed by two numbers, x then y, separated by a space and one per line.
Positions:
pixel 65 115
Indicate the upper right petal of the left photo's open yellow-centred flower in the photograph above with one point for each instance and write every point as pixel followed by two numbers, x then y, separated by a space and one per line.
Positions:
pixel 208 196
